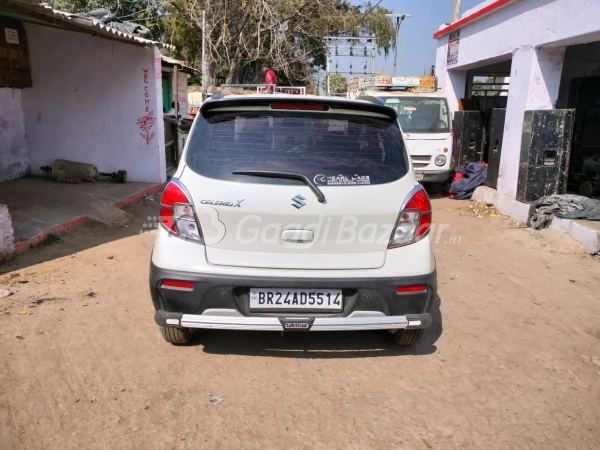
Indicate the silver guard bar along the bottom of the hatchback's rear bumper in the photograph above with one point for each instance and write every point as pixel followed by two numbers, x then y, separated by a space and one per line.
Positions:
pixel 219 322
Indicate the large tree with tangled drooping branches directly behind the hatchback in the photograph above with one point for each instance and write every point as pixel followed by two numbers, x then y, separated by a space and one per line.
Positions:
pixel 289 34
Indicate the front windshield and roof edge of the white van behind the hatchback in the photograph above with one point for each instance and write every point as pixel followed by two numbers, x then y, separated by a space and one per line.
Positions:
pixel 421 114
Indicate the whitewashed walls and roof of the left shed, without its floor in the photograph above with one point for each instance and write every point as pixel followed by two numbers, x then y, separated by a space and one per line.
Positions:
pixel 91 89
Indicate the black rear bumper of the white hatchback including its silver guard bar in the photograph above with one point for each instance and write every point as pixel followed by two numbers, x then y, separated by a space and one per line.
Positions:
pixel 221 301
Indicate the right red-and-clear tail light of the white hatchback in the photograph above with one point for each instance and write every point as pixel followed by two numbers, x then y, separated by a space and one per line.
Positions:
pixel 414 221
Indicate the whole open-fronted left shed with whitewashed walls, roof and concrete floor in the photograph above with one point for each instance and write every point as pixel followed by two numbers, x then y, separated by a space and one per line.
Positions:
pixel 72 88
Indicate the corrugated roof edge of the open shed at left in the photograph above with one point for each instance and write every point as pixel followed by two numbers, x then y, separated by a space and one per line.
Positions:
pixel 22 9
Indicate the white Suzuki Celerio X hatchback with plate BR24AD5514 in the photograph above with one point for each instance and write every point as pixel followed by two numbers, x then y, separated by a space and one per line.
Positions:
pixel 294 213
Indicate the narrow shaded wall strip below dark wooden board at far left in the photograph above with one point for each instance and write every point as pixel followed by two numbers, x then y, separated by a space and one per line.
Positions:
pixel 14 162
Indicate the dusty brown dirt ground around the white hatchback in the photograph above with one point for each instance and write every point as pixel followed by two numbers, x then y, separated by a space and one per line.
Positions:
pixel 513 360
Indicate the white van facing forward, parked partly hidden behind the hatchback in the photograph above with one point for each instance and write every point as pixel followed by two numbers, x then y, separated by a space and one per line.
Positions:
pixel 426 124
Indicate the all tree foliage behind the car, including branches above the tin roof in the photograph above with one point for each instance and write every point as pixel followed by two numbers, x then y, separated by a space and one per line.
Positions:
pixel 242 35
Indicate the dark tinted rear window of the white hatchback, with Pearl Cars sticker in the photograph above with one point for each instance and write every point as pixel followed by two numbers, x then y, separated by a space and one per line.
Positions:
pixel 330 149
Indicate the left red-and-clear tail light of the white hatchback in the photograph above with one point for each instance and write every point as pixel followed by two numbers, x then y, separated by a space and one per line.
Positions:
pixel 177 213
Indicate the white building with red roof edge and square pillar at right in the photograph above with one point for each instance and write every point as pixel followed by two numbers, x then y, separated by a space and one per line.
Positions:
pixel 550 51
